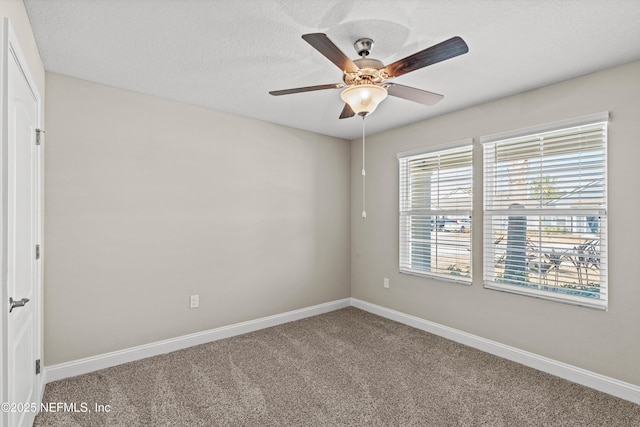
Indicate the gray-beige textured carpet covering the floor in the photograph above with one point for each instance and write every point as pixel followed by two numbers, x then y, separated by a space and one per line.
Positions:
pixel 347 367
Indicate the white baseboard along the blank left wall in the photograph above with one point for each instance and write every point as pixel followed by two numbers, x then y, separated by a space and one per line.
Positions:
pixel 102 361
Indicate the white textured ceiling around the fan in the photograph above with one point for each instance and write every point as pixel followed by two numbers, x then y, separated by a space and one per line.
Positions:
pixel 228 54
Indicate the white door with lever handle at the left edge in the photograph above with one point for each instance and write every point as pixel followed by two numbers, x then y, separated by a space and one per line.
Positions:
pixel 22 201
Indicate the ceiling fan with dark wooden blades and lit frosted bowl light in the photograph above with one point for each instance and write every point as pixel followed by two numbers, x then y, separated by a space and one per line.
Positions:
pixel 366 80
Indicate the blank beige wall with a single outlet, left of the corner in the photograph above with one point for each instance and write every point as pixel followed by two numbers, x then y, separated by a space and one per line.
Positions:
pixel 149 201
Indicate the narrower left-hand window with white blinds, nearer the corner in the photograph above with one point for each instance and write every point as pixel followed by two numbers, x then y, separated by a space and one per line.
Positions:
pixel 435 212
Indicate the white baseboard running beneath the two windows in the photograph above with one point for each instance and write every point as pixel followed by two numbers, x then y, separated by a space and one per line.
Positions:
pixel 590 379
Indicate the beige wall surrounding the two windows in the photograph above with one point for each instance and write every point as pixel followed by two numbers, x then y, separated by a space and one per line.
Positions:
pixel 603 342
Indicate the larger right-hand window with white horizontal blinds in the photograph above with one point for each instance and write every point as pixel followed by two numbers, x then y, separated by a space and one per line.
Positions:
pixel 545 211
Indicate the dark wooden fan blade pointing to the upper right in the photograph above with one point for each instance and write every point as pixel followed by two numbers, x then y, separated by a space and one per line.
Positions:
pixel 445 50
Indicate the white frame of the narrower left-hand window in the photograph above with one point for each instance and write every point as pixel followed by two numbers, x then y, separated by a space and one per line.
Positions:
pixel 404 254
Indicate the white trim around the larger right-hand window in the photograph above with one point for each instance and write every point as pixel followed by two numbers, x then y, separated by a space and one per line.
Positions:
pixel 602 304
